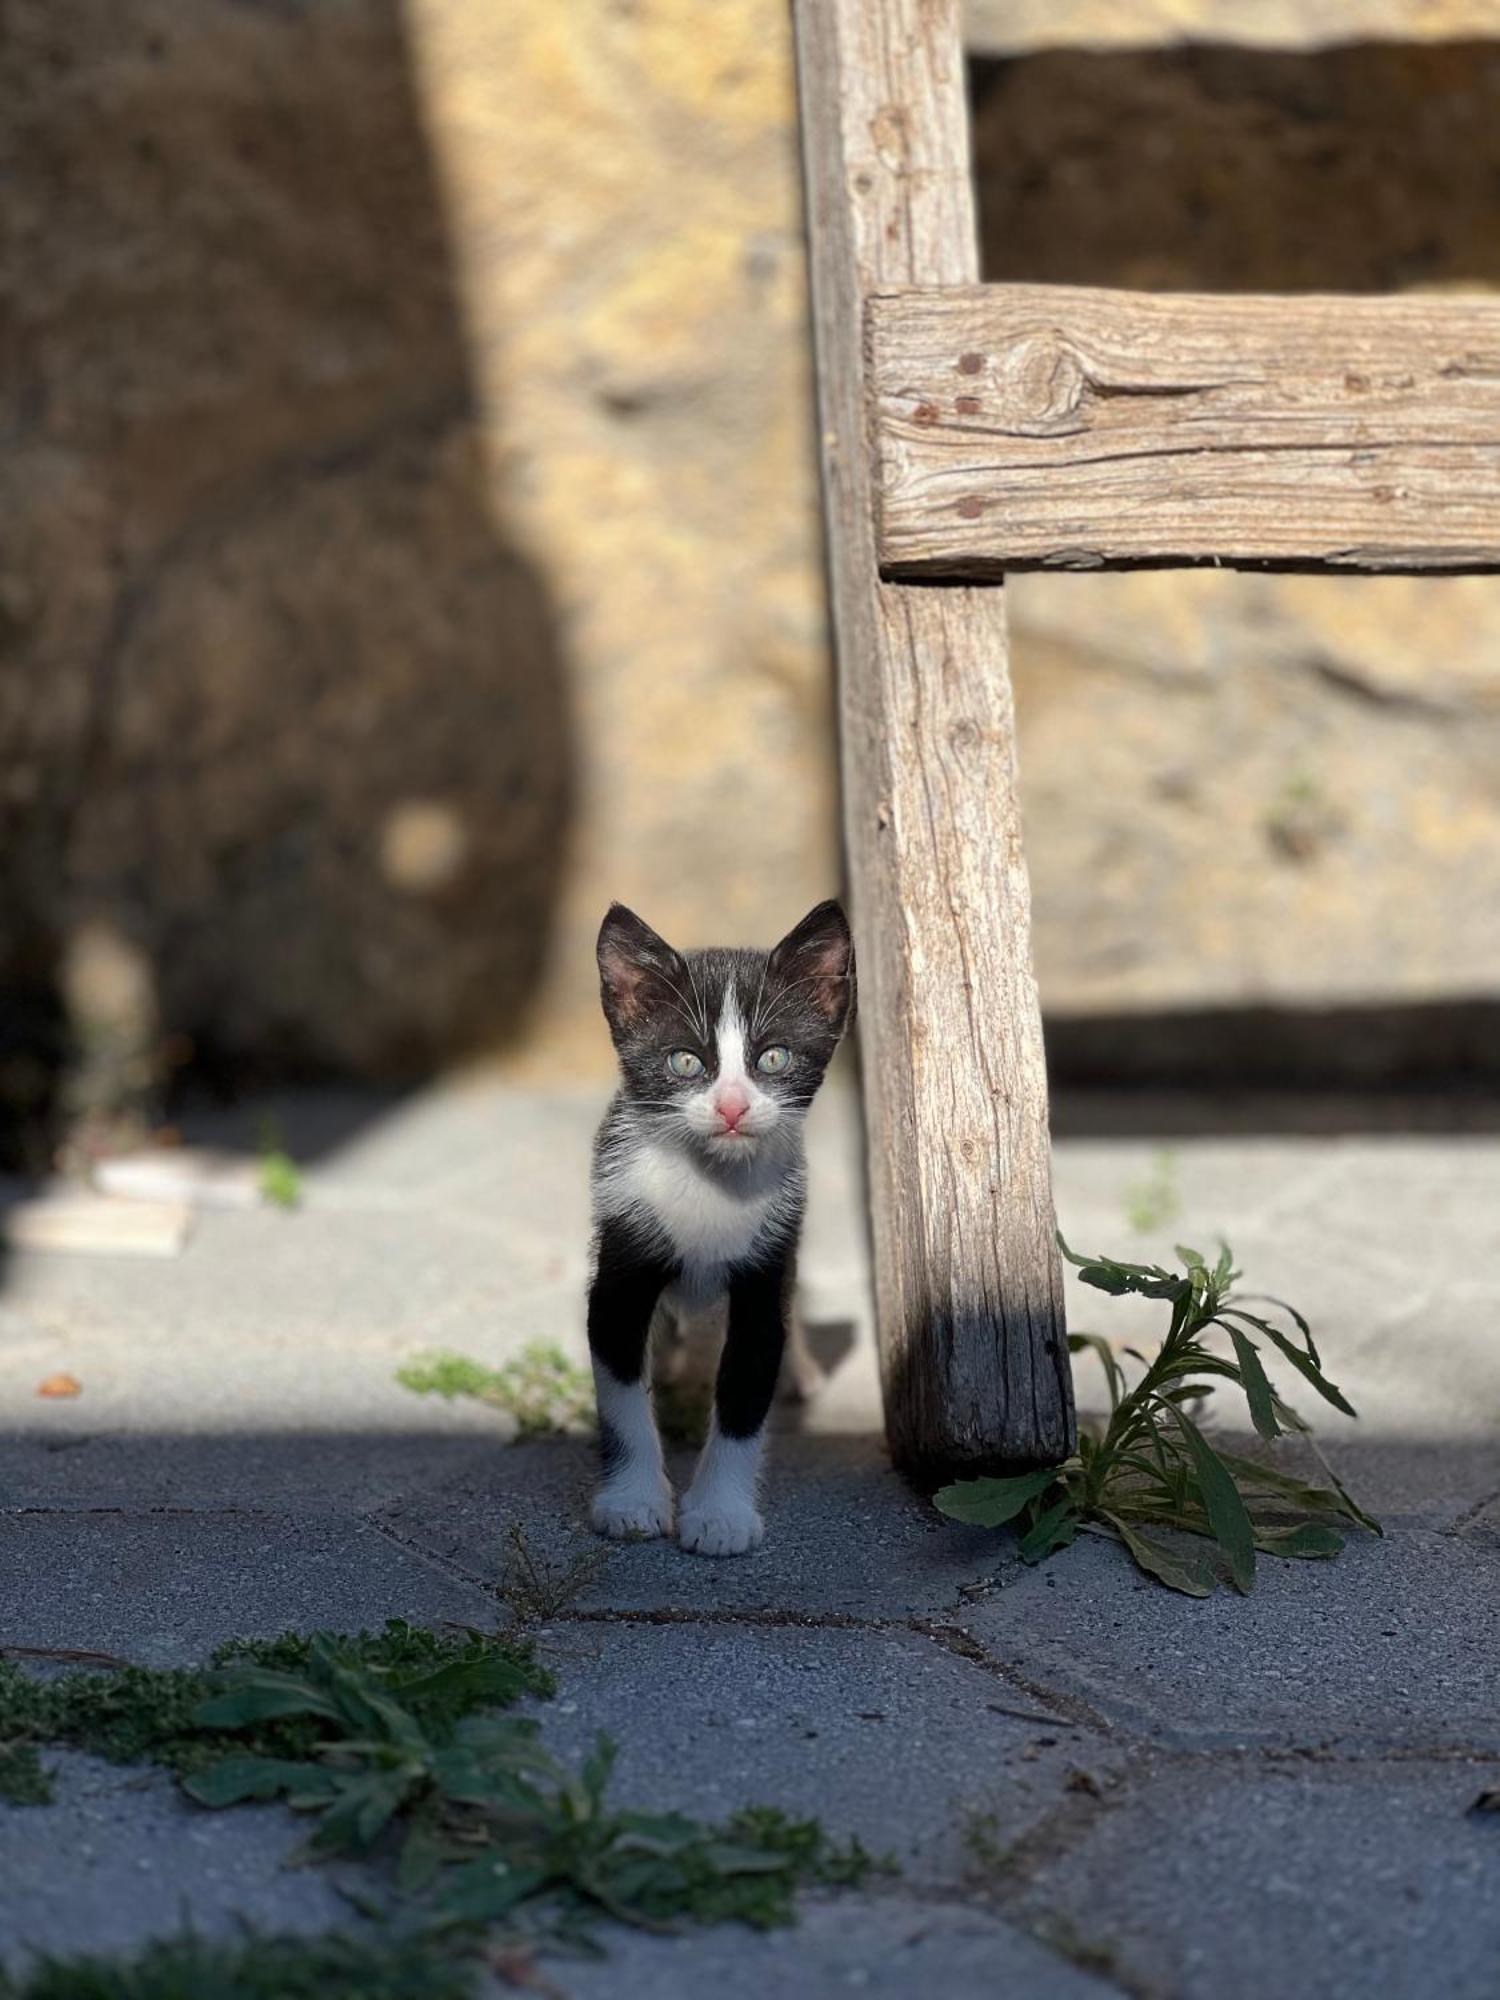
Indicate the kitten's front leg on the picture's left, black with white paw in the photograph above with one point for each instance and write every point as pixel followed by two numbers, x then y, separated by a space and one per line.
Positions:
pixel 635 1497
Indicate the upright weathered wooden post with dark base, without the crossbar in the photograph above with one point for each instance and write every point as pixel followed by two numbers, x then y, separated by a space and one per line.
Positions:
pixel 969 1293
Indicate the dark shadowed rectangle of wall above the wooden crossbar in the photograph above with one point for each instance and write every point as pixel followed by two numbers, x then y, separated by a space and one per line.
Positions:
pixel 1217 169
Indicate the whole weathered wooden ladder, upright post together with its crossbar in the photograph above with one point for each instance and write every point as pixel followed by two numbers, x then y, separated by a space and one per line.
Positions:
pixel 975 429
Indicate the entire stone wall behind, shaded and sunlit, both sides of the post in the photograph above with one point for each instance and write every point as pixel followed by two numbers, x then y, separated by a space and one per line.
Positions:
pixel 411 529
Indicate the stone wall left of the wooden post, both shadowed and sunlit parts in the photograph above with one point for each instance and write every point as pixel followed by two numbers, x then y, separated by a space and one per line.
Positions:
pixel 411 525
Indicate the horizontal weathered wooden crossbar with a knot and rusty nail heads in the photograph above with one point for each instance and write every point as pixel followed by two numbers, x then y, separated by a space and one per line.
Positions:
pixel 1055 427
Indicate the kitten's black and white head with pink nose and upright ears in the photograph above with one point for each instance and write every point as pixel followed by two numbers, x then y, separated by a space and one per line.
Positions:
pixel 723 1049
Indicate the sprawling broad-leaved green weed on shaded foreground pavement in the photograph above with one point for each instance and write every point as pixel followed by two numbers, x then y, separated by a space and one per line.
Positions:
pixel 489 1829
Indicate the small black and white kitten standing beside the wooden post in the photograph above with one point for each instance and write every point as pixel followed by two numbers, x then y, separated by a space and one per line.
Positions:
pixel 699 1191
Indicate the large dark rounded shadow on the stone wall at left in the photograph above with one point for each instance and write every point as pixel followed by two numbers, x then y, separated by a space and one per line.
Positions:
pixel 285 747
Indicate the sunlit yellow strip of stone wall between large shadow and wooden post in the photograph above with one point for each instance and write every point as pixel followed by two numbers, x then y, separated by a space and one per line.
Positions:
pixel 625 207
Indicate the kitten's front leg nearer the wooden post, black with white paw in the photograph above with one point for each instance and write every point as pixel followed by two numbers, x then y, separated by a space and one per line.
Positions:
pixel 719 1511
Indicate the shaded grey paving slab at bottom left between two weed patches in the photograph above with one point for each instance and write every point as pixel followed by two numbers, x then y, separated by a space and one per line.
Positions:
pixel 121 1859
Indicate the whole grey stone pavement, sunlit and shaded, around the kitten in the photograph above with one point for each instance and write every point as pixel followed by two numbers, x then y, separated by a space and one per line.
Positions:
pixel 1091 1785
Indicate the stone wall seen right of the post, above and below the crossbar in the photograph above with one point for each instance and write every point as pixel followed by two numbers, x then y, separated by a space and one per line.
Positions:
pixel 1255 789
